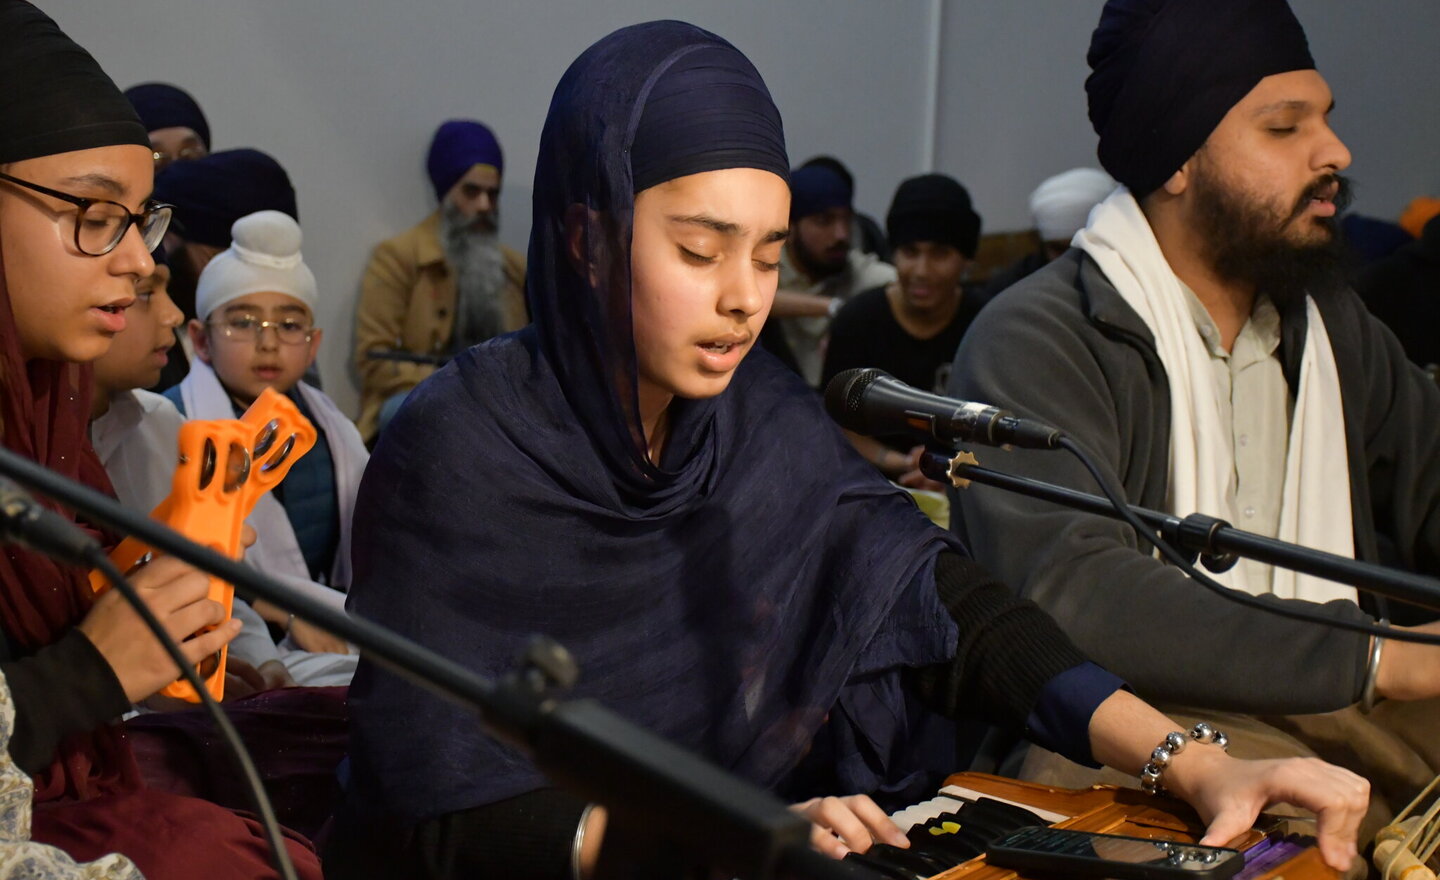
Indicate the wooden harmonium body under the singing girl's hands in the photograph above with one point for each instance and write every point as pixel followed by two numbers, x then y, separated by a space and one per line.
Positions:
pixel 950 833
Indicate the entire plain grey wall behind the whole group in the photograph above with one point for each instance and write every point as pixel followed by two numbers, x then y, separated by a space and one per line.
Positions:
pixel 346 93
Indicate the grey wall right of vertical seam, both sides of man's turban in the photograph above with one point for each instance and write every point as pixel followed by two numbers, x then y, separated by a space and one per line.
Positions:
pixel 1013 107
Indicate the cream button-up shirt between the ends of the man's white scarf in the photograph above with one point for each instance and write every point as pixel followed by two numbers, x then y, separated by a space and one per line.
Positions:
pixel 1255 407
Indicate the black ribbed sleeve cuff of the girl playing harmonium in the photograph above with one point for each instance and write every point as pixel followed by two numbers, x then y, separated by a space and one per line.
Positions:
pixel 1007 652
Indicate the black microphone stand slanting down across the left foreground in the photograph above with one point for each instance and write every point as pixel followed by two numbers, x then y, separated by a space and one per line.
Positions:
pixel 643 780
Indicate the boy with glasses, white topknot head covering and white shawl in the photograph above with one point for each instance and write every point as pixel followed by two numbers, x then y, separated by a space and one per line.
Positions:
pixel 257 331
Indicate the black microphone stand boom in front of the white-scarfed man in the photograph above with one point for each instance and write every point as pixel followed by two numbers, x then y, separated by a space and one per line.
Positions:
pixel 1218 544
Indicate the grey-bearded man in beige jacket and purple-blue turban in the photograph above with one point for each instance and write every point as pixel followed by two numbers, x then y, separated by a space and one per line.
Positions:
pixel 443 286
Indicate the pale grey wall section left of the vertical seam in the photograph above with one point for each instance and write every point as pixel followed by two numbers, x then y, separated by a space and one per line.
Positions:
pixel 346 94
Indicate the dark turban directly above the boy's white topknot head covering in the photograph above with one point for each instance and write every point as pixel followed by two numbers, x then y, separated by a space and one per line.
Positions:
pixel 215 191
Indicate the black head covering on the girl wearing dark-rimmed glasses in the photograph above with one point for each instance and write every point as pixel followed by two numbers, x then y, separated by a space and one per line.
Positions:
pixel 54 97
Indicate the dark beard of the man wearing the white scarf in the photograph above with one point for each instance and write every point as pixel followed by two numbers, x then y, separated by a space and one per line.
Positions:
pixel 1246 246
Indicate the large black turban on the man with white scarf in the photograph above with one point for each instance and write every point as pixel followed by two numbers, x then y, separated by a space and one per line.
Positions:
pixel 1164 73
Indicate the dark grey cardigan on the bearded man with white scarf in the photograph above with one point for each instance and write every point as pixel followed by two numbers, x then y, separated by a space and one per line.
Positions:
pixel 1065 348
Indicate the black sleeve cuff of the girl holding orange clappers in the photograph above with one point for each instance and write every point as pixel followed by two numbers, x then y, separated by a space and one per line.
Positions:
pixel 60 691
